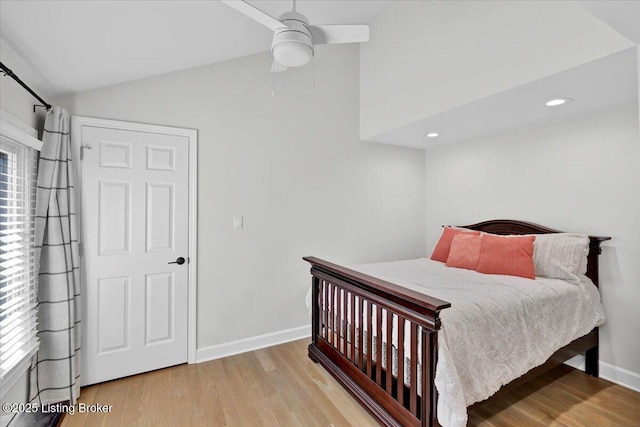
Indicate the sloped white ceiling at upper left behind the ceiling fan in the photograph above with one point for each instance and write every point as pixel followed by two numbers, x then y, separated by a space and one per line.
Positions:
pixel 70 46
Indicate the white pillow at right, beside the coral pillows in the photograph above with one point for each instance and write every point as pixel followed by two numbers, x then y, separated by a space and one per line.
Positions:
pixel 561 256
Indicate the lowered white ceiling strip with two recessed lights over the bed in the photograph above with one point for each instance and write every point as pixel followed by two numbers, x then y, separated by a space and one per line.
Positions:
pixel 594 86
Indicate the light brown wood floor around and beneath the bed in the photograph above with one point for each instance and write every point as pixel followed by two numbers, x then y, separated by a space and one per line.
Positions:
pixel 281 386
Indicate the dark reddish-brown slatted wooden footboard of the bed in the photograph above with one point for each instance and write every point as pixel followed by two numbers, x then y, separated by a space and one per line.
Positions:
pixel 359 323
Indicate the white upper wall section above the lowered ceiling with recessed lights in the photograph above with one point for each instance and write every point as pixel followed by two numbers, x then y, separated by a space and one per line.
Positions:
pixel 427 57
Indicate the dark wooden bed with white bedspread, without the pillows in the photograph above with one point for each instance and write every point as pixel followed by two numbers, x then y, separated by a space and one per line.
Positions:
pixel 379 332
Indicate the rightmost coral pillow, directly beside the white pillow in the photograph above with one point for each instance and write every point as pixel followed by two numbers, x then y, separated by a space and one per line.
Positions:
pixel 512 256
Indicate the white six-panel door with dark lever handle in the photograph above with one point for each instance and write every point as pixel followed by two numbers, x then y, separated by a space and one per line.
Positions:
pixel 135 222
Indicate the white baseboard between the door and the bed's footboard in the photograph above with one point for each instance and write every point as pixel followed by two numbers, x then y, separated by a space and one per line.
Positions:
pixel 219 351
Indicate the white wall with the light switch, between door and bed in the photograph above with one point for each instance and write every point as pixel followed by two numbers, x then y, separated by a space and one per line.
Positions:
pixel 293 166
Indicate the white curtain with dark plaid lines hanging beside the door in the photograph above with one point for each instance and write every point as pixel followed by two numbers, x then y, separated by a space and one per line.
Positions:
pixel 55 369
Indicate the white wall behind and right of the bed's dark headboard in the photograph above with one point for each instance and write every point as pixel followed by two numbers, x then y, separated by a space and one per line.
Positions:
pixel 580 175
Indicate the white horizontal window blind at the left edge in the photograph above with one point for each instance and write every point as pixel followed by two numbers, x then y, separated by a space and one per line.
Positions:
pixel 18 300
